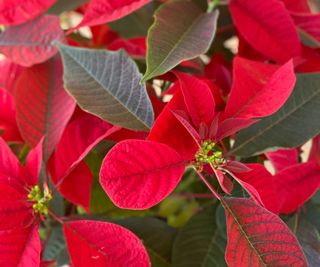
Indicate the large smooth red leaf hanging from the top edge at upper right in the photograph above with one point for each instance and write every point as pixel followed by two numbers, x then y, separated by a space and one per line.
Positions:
pixel 267 27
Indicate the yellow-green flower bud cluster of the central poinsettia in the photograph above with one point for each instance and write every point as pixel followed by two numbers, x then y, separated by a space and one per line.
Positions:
pixel 209 153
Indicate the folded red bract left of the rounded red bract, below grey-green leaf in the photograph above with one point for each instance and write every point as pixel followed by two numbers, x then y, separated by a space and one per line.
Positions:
pixel 69 173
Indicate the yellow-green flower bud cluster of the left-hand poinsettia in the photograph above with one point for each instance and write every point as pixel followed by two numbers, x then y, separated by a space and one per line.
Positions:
pixel 40 200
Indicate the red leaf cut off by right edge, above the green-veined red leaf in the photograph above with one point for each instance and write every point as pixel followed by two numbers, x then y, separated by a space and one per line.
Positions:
pixel 296 184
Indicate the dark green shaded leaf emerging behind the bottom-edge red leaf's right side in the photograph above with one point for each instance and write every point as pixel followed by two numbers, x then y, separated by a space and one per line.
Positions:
pixel 157 237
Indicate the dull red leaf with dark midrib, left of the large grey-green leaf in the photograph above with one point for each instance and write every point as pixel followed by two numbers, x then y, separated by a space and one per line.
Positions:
pixel 43 106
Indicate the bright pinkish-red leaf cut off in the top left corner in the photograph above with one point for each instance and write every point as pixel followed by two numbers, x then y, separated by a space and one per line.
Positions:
pixel 18 11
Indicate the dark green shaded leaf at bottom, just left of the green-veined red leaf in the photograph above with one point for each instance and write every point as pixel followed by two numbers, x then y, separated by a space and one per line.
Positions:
pixel 200 243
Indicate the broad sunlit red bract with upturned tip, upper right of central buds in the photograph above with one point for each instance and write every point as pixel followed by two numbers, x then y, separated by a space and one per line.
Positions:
pixel 259 89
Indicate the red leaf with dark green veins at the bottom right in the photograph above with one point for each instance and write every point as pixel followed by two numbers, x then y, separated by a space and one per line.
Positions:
pixel 257 237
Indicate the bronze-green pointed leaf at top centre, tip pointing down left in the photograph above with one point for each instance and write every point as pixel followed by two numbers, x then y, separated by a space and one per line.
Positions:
pixel 181 31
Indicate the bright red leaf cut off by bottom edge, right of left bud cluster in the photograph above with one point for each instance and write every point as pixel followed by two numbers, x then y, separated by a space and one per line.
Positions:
pixel 100 244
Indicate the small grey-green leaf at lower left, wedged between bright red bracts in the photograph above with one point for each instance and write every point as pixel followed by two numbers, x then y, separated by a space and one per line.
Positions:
pixel 56 247
